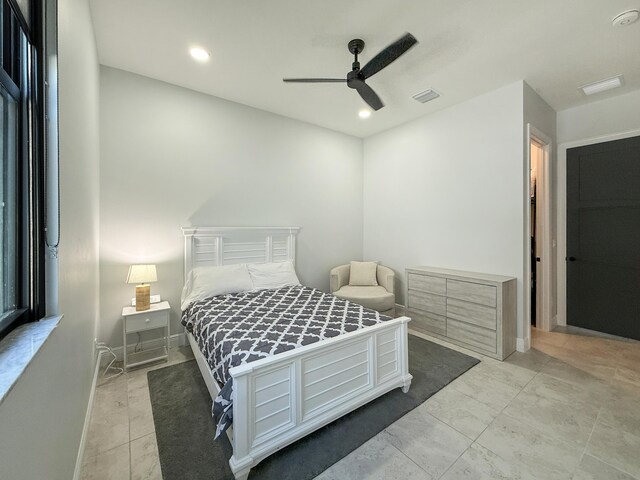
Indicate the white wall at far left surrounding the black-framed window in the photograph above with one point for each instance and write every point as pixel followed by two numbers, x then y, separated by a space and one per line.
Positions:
pixel 43 416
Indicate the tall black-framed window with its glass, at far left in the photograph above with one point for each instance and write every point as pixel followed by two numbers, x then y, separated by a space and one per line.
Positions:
pixel 21 167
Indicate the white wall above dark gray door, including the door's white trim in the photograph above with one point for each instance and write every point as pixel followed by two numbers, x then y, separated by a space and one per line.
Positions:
pixel 600 121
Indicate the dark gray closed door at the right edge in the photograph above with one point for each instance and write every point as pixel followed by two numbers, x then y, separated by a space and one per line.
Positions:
pixel 603 237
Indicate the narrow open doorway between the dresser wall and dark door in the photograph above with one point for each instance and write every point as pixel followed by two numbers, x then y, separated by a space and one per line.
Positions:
pixel 539 251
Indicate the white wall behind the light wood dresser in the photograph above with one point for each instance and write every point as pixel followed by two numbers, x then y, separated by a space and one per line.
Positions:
pixel 447 190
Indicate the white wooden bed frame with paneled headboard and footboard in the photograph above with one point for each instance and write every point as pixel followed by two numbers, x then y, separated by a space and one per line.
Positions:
pixel 280 399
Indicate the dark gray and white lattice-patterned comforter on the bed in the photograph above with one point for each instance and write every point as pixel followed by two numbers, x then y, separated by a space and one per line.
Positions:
pixel 243 327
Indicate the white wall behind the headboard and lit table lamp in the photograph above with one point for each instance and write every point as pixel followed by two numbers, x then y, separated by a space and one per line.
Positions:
pixel 172 157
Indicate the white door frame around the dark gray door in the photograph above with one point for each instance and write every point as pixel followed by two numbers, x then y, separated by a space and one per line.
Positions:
pixel 561 212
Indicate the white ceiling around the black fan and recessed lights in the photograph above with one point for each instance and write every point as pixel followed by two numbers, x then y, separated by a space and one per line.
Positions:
pixel 466 48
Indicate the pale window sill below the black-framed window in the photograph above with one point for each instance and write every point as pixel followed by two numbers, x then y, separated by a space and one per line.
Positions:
pixel 19 348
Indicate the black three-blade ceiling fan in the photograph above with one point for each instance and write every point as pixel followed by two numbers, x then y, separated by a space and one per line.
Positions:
pixel 357 76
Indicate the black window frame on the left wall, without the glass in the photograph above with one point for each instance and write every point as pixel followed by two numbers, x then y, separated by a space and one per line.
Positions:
pixel 30 172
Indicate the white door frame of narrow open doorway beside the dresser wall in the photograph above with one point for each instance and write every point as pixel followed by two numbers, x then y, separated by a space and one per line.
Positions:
pixel 544 193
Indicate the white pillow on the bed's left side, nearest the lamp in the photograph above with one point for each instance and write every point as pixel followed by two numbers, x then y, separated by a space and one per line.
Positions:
pixel 204 282
